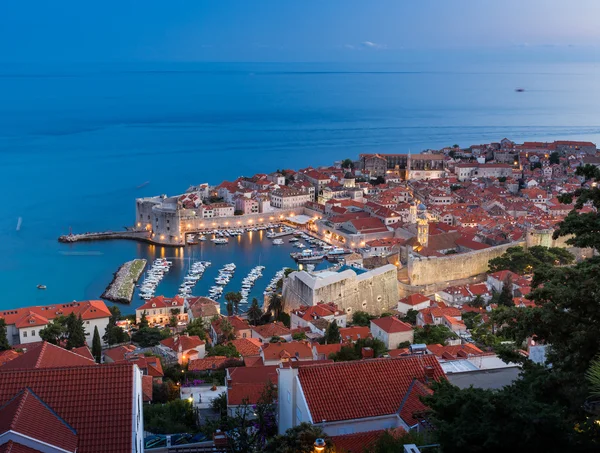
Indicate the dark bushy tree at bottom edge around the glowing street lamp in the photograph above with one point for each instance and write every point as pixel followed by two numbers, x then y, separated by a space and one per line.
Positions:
pixel 299 439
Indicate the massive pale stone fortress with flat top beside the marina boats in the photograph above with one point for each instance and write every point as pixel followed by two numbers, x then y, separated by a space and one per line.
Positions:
pixel 373 291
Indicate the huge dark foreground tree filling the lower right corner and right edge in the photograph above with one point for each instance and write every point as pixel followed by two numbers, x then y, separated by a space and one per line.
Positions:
pixel 546 408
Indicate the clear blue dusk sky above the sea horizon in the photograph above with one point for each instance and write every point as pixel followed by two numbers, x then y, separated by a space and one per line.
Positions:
pixel 285 30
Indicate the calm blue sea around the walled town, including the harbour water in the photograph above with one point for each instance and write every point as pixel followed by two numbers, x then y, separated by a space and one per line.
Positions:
pixel 79 142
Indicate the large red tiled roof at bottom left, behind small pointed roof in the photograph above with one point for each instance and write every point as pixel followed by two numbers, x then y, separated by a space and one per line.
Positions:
pixel 95 400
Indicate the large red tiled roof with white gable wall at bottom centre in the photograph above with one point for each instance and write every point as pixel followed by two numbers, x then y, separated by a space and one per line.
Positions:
pixel 326 387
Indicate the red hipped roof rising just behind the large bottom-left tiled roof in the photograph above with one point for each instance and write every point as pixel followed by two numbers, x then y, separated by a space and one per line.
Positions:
pixel 47 355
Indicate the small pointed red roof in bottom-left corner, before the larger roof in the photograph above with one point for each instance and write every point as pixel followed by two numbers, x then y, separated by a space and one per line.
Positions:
pixel 28 415
